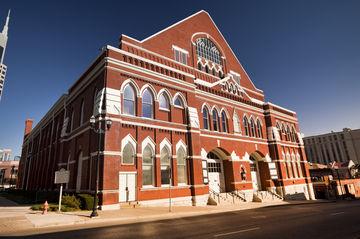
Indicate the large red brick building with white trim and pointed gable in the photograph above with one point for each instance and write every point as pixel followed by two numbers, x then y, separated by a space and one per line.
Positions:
pixel 181 105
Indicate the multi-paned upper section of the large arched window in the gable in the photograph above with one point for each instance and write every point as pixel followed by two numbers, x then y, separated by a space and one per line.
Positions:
pixel 207 49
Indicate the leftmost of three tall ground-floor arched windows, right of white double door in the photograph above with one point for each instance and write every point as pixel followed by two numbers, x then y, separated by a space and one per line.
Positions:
pixel 148 166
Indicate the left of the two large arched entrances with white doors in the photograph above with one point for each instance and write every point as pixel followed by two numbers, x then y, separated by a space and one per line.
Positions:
pixel 215 172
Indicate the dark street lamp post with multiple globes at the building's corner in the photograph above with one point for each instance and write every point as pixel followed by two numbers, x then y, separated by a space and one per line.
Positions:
pixel 99 131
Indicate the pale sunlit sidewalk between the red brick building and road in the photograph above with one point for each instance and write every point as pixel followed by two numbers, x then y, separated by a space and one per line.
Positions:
pixel 30 222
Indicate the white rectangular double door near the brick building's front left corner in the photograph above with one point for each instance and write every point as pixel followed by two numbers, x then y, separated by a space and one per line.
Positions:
pixel 127 187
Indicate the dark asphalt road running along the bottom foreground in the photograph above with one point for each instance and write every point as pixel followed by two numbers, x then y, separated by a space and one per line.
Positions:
pixel 321 220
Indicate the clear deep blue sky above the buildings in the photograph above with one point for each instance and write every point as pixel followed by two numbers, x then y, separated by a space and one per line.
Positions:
pixel 305 55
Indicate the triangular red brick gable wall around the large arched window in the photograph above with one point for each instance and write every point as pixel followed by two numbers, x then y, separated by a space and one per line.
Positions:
pixel 183 34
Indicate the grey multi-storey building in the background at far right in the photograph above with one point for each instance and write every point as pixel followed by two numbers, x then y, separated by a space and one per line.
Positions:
pixel 334 147
